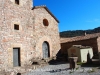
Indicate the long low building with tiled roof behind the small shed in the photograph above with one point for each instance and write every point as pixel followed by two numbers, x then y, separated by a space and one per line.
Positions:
pixel 92 40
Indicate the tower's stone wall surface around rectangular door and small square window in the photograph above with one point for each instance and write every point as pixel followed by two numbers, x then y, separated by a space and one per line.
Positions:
pixel 11 38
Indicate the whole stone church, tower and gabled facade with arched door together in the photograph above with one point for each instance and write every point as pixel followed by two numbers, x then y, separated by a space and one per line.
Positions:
pixel 26 32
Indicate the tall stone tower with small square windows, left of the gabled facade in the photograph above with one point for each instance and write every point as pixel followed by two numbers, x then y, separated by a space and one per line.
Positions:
pixel 15 19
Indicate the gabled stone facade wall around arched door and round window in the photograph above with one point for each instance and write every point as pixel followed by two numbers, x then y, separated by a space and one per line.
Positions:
pixel 48 33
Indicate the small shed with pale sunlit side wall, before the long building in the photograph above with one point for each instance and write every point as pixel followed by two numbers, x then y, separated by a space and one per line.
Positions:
pixel 81 52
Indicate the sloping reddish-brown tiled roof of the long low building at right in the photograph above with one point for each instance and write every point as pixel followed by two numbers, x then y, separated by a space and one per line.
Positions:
pixel 78 38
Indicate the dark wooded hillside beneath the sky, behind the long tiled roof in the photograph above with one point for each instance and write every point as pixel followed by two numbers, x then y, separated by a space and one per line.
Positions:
pixel 74 33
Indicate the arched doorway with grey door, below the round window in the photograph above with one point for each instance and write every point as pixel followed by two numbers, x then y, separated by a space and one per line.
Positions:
pixel 45 49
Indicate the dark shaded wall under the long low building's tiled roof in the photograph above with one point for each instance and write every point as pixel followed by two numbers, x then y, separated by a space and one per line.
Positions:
pixel 88 42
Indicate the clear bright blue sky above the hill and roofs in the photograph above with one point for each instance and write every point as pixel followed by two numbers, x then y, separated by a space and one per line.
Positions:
pixel 74 14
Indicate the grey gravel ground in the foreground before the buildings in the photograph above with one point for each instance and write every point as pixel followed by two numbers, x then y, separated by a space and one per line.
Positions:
pixel 62 69
